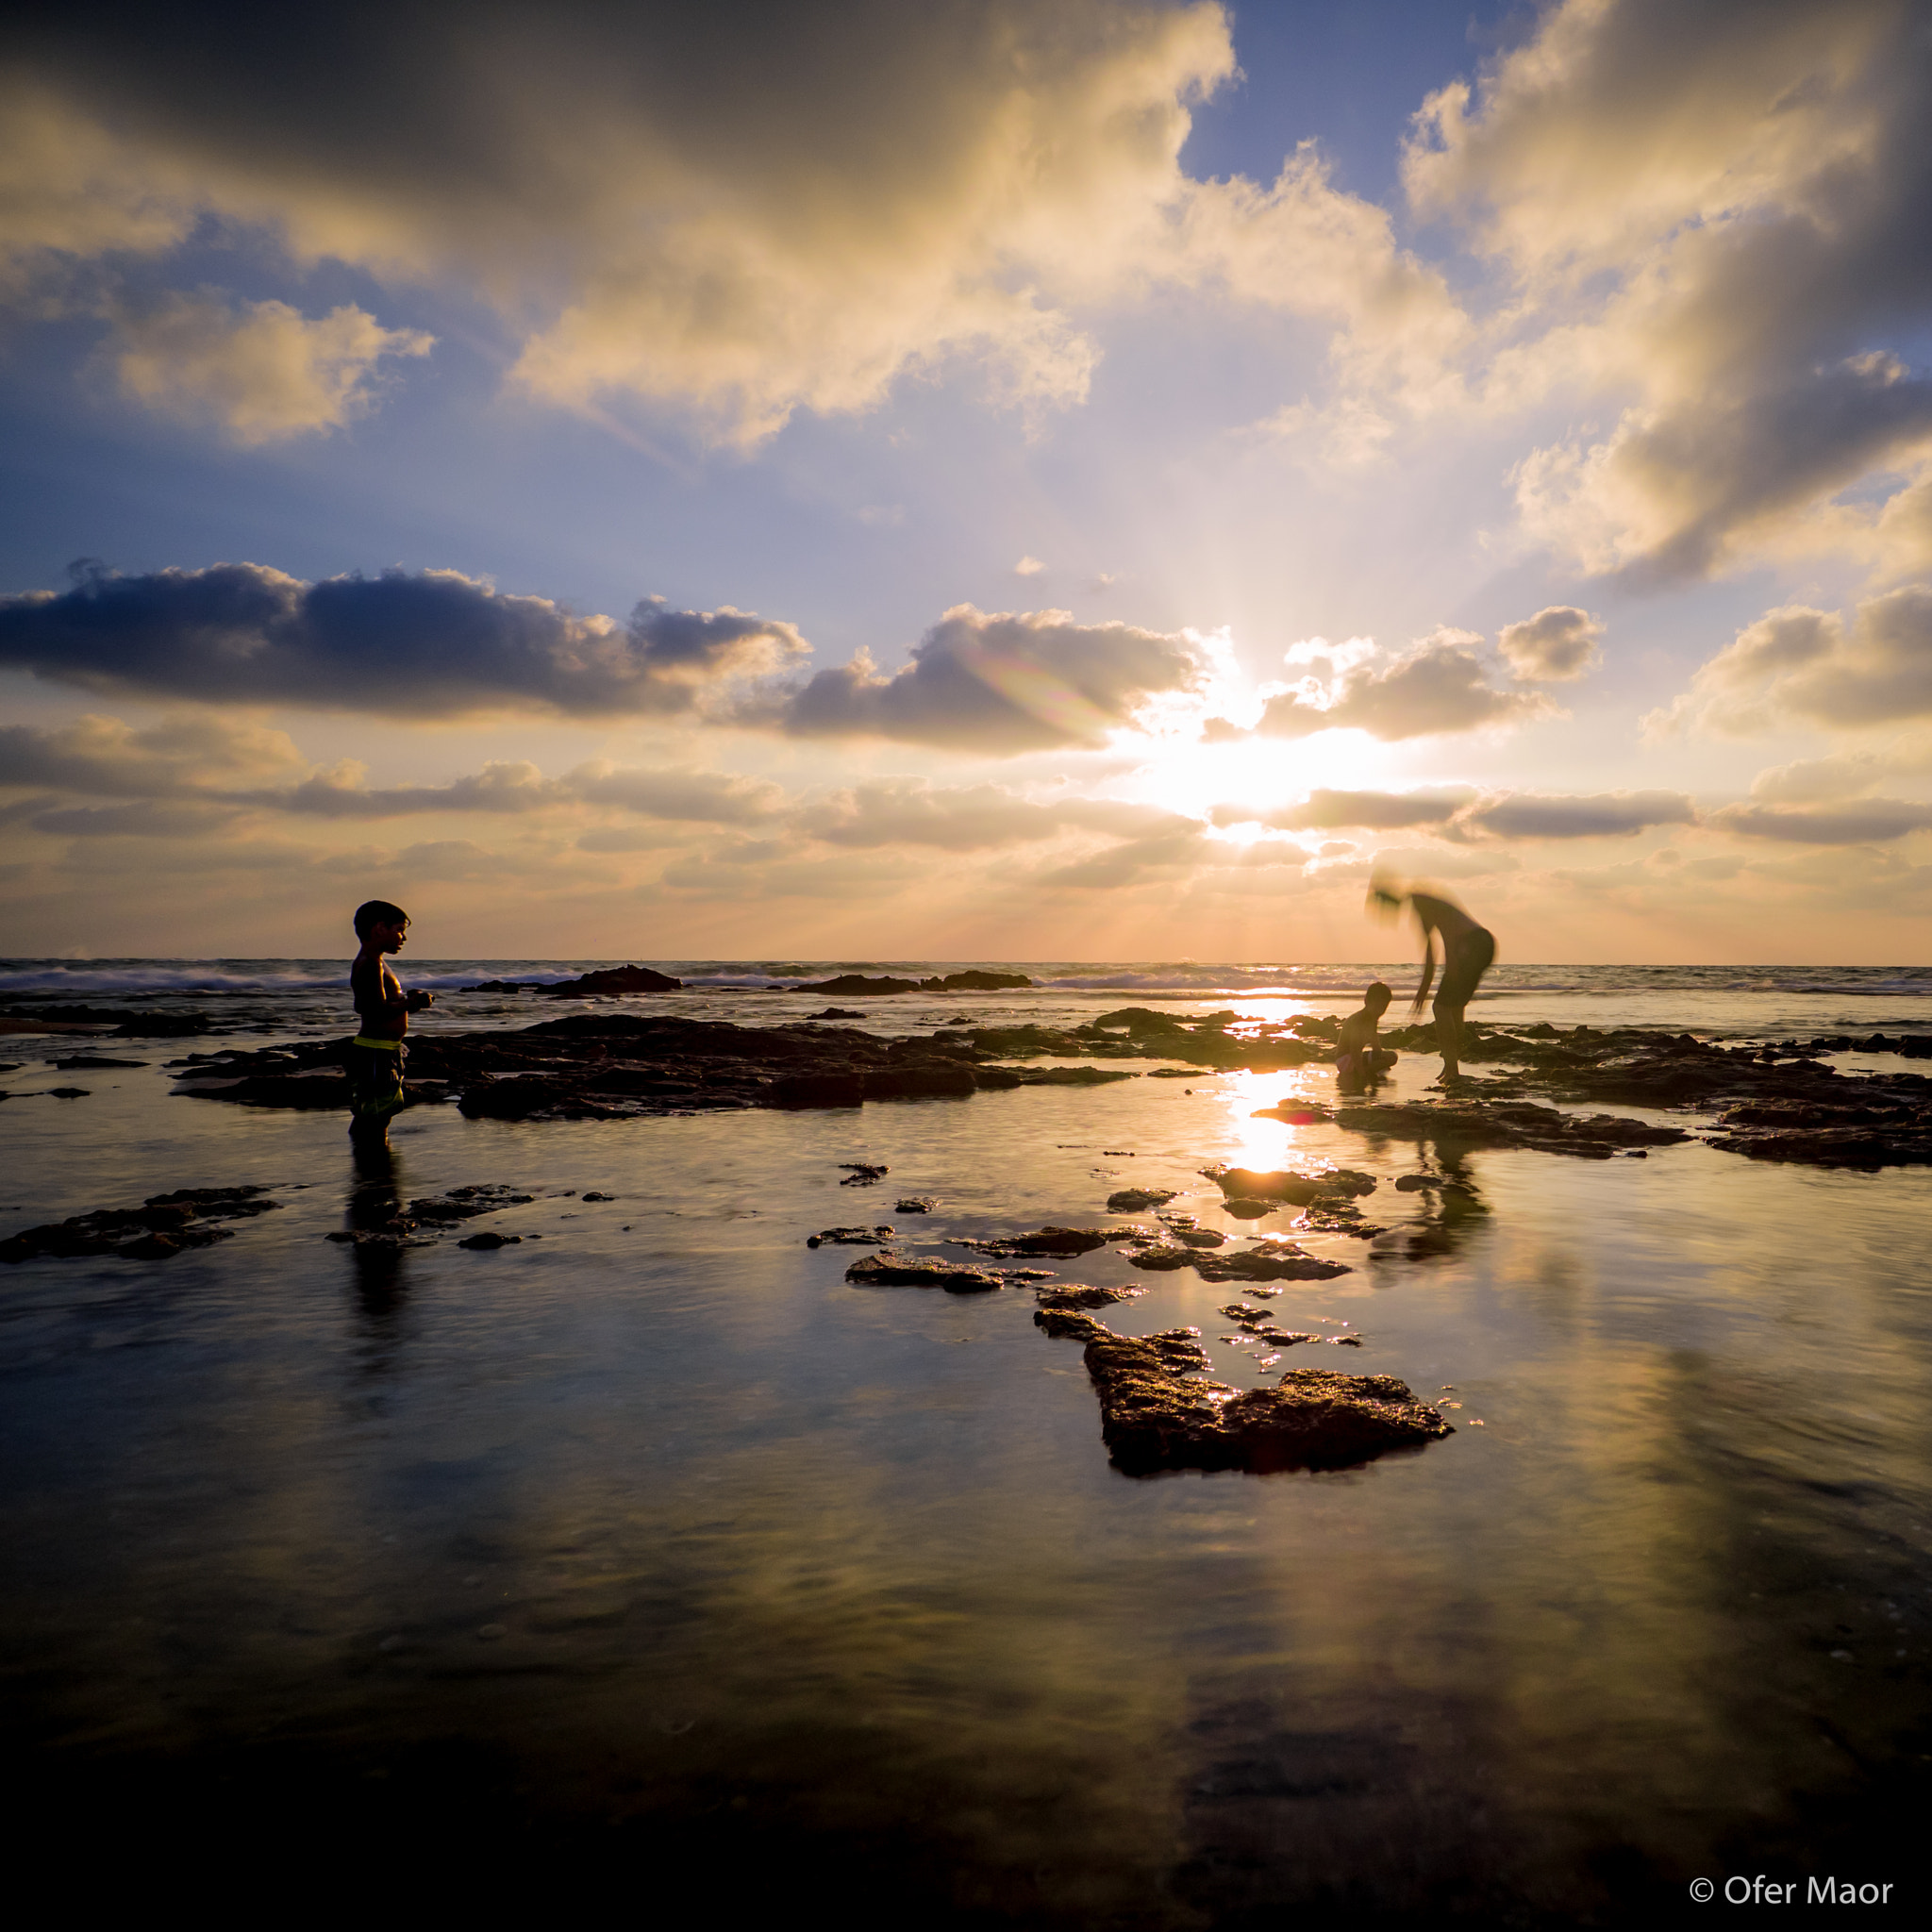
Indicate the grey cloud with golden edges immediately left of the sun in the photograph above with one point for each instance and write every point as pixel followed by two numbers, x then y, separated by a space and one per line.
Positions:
pixel 994 683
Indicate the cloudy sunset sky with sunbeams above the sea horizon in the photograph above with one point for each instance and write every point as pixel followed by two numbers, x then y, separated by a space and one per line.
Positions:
pixel 1023 480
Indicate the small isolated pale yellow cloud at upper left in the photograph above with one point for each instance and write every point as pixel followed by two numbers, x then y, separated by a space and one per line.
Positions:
pixel 262 376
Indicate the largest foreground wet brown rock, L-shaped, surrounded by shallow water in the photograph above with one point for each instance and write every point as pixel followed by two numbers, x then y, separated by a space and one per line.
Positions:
pixel 1160 1413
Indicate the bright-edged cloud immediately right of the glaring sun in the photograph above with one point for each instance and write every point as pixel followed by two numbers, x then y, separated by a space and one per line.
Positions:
pixel 1440 687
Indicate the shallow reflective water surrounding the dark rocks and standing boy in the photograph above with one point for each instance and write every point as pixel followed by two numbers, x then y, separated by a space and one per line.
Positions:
pixel 836 1585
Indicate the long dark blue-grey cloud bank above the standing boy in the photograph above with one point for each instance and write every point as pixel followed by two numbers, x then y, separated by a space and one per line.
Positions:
pixel 430 644
